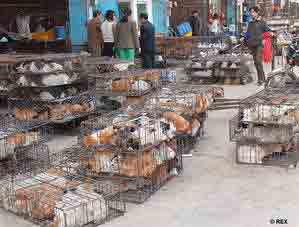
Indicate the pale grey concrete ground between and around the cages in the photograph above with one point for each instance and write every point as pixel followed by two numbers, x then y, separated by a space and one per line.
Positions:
pixel 213 190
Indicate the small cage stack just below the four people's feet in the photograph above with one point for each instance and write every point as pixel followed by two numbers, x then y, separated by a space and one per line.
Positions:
pixel 115 79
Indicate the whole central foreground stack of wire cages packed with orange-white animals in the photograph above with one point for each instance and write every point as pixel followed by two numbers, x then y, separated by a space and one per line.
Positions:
pixel 138 147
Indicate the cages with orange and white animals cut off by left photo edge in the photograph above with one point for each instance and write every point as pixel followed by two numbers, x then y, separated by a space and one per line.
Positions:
pixel 22 149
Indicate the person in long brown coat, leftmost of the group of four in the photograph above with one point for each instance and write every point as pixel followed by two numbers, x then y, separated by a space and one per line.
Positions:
pixel 95 36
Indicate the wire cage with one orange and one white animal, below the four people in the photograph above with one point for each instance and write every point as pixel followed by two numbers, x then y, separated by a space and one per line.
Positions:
pixel 126 83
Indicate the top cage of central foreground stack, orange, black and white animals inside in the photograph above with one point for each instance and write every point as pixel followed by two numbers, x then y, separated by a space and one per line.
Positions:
pixel 131 131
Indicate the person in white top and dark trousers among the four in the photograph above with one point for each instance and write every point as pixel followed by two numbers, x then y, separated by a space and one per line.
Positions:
pixel 108 29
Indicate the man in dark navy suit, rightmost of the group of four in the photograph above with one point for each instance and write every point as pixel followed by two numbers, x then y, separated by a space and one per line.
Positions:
pixel 147 42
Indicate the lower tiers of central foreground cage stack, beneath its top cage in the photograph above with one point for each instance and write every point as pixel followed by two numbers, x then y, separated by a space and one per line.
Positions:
pixel 141 173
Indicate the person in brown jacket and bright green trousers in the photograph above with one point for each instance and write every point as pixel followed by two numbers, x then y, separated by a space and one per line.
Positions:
pixel 126 38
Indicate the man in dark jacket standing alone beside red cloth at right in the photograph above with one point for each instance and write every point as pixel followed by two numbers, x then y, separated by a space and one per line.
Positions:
pixel 254 40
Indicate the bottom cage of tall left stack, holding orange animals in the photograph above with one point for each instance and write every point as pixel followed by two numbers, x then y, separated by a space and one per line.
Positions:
pixel 58 104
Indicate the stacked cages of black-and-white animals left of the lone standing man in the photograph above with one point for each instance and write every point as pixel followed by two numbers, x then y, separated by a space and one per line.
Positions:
pixel 208 66
